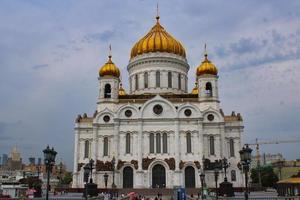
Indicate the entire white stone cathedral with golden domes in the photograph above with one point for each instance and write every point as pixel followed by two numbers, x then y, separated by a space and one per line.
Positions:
pixel 158 133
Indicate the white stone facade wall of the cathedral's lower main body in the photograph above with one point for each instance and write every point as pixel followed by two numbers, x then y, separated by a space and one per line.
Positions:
pixel 174 123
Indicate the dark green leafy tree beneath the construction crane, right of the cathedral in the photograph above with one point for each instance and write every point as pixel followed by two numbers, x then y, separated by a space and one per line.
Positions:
pixel 268 177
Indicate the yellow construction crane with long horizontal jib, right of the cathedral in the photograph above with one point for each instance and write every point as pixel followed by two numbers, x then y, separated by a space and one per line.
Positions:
pixel 258 143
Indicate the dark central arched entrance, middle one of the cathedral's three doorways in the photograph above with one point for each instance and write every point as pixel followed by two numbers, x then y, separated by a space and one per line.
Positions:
pixel 158 176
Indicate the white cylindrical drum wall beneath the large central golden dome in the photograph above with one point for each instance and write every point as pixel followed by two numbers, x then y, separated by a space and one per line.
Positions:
pixel 164 63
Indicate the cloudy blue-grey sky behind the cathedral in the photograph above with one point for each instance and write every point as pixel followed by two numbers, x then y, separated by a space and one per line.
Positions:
pixel 50 53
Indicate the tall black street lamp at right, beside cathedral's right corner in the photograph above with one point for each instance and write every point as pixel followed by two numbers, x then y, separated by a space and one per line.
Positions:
pixel 245 154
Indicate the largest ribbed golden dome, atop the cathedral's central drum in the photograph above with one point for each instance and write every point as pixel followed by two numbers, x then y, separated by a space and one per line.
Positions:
pixel 157 40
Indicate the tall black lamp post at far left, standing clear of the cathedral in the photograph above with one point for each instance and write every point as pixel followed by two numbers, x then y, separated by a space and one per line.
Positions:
pixel 49 159
